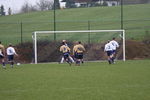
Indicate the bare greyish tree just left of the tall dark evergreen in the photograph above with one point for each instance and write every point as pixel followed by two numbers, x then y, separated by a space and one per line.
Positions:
pixel 44 5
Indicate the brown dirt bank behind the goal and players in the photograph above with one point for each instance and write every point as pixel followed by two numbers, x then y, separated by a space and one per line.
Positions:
pixel 49 51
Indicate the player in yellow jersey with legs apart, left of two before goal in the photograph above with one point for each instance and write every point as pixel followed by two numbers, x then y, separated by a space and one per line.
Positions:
pixel 65 50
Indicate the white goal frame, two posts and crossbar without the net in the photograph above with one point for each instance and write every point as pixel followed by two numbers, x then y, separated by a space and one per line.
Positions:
pixel 34 37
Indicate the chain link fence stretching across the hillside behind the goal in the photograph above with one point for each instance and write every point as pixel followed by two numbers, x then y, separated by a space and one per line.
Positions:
pixel 22 31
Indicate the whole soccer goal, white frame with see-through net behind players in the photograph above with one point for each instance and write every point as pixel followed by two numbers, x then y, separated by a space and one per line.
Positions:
pixel 46 43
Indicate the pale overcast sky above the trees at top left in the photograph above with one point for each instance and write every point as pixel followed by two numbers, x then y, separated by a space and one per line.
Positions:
pixel 15 5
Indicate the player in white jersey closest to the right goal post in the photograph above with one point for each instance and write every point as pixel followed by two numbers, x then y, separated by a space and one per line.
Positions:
pixel 115 45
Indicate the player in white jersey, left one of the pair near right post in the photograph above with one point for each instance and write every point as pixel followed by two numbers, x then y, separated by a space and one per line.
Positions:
pixel 109 50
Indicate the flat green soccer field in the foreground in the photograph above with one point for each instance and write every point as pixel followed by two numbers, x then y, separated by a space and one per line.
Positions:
pixel 128 80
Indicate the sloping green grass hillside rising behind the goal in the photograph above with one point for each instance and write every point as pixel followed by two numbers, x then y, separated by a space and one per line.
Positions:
pixel 136 21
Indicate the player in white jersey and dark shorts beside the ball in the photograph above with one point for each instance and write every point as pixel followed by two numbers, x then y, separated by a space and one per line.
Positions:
pixel 10 54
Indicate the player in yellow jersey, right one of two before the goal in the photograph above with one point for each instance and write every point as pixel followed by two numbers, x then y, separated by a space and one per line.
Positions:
pixel 78 53
